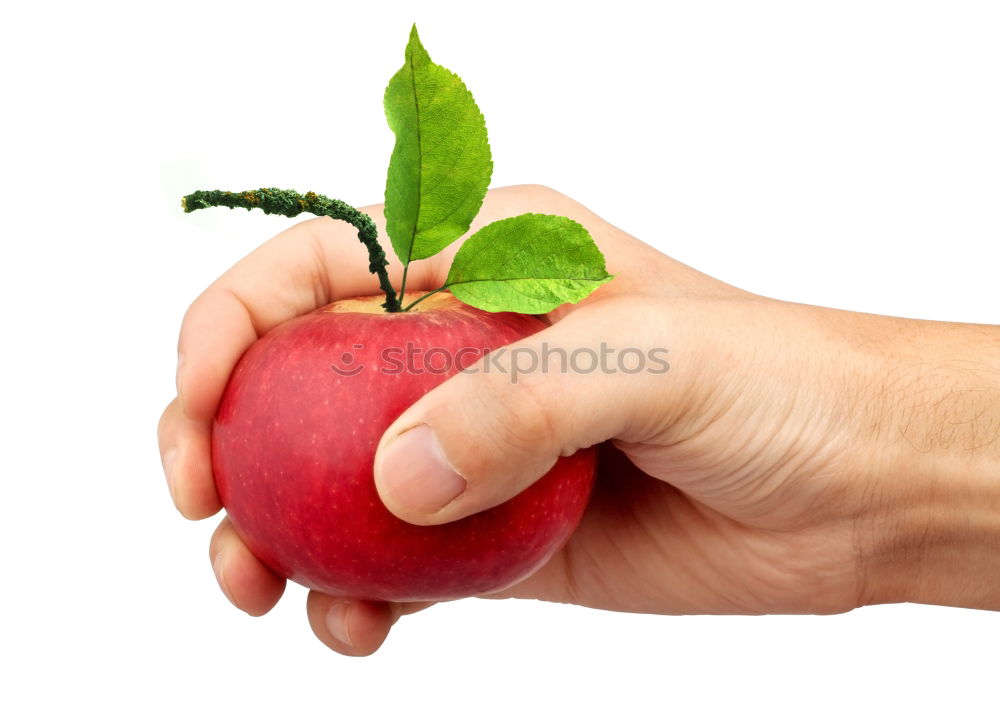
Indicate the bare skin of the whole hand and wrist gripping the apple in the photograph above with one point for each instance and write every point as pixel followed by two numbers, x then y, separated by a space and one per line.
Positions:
pixel 818 460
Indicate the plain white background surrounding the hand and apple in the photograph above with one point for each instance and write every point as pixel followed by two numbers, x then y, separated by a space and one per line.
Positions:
pixel 842 153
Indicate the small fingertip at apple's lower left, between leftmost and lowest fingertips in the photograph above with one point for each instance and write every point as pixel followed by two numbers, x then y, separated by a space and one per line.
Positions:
pixel 246 582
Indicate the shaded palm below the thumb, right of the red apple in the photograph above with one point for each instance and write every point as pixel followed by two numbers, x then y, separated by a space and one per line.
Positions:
pixel 643 545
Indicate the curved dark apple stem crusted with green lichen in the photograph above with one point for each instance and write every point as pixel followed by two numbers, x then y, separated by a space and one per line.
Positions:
pixel 289 203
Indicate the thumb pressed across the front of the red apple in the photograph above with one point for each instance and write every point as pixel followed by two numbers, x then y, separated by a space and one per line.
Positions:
pixel 486 434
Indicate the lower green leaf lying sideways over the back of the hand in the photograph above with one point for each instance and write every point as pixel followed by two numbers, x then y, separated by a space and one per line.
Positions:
pixel 527 264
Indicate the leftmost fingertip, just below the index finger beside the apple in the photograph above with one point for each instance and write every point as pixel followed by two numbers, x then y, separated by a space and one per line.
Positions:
pixel 185 450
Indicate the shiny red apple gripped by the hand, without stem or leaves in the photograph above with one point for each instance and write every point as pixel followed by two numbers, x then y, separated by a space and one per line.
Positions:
pixel 293 444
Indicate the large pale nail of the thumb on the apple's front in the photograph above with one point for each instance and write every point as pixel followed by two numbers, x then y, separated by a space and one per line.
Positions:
pixel 416 476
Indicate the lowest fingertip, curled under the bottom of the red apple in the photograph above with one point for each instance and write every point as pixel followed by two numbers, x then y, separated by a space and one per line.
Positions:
pixel 354 628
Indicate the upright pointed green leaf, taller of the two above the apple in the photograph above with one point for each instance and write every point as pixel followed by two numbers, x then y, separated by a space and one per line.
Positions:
pixel 441 165
